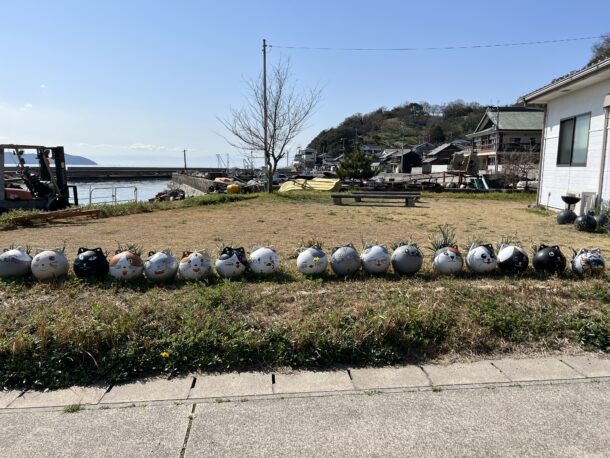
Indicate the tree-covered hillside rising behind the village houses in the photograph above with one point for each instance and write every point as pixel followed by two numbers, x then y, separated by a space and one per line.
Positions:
pixel 407 124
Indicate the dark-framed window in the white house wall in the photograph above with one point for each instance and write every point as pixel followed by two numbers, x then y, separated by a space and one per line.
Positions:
pixel 574 140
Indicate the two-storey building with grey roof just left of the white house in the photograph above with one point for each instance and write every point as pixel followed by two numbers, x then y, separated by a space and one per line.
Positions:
pixel 503 131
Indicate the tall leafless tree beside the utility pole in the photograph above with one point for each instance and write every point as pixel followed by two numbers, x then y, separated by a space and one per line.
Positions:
pixel 288 111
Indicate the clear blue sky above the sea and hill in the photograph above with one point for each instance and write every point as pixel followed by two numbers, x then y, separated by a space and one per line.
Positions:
pixel 135 82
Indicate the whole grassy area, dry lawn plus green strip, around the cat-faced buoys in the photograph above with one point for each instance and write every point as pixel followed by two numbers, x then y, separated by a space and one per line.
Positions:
pixel 77 331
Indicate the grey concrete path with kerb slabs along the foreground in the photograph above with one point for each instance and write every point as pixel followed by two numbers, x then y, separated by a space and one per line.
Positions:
pixel 551 406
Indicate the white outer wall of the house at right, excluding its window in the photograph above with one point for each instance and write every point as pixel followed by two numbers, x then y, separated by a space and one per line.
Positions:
pixel 559 180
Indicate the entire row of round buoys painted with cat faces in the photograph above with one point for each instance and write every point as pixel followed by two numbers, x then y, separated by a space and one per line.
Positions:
pixel 407 259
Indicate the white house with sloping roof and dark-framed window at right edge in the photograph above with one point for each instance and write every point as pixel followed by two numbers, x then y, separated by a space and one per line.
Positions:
pixel 574 154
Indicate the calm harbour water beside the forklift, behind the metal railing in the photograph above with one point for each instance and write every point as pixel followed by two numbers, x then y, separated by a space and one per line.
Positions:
pixel 102 191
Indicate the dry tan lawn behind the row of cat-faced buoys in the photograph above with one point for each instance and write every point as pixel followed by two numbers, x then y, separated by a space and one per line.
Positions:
pixel 284 225
